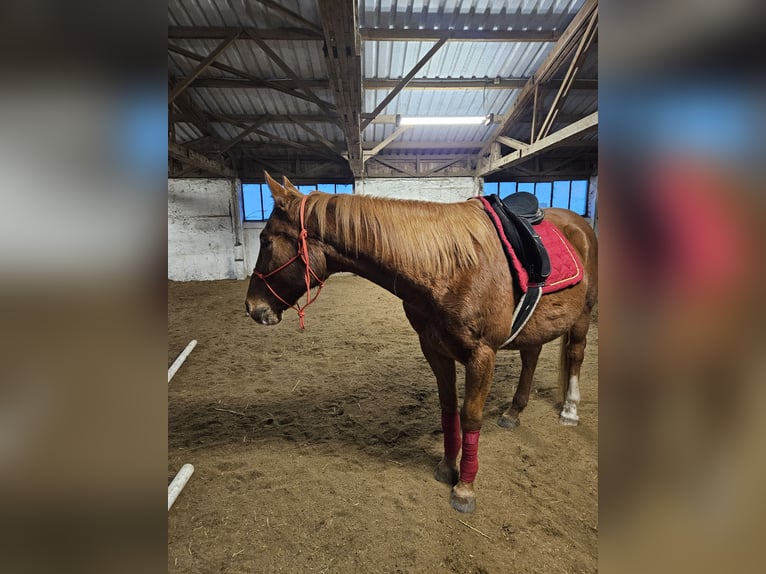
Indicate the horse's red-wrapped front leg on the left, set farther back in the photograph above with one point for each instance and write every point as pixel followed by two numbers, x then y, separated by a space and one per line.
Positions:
pixel 444 369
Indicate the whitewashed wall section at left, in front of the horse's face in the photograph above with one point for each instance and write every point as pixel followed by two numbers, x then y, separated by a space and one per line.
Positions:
pixel 205 235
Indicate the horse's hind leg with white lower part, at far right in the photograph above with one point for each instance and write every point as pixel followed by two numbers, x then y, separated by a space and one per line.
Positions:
pixel 571 354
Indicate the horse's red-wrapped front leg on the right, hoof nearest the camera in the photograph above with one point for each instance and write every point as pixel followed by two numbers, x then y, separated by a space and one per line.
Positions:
pixel 478 379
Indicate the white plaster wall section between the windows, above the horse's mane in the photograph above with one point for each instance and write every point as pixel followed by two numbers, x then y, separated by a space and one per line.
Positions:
pixel 442 189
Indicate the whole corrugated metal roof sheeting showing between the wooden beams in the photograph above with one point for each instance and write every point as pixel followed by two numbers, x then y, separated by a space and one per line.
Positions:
pixel 381 60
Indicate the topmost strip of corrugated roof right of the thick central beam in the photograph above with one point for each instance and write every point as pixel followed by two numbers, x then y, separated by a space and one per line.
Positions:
pixel 468 14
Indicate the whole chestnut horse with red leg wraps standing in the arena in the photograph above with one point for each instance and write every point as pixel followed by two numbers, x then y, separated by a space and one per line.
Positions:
pixel 446 263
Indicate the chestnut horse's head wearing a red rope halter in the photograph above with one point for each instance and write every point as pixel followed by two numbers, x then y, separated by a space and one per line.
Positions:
pixel 287 265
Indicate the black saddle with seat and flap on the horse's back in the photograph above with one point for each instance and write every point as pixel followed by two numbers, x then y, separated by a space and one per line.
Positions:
pixel 518 213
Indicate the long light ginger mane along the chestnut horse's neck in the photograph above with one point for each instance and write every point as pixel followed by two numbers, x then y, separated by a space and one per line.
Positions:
pixel 421 237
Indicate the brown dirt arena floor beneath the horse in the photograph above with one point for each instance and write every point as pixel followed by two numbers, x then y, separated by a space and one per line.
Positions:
pixel 314 451
